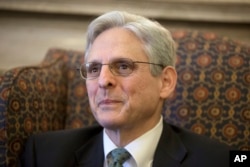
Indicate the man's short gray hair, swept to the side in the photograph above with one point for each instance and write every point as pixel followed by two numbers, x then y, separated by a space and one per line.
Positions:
pixel 157 40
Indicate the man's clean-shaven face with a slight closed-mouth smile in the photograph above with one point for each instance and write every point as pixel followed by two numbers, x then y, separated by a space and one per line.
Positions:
pixel 123 102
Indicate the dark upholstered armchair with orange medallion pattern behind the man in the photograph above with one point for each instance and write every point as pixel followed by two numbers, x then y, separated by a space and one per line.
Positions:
pixel 212 96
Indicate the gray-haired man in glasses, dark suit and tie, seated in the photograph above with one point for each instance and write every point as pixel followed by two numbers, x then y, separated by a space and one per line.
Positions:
pixel 129 72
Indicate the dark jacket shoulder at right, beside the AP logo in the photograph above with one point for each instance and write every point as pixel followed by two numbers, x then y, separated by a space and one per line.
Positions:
pixel 201 150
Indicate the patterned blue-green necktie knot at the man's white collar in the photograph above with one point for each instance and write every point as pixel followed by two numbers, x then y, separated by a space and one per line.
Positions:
pixel 117 157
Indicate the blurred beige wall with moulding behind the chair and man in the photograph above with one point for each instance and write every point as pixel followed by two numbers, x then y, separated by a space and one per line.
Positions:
pixel 28 28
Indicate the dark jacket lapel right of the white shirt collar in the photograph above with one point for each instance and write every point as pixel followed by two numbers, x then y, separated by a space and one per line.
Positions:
pixel 170 150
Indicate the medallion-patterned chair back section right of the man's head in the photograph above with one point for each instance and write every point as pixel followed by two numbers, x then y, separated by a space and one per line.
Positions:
pixel 213 91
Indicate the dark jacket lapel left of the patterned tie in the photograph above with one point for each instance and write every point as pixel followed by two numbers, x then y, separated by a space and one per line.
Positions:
pixel 91 154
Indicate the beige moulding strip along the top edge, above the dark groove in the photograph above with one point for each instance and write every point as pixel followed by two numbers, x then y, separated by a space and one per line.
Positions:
pixel 193 10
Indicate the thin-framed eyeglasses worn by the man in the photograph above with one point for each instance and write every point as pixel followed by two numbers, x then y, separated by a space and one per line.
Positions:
pixel 120 67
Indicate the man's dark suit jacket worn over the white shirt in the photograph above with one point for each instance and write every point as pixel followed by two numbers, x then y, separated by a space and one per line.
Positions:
pixel 84 147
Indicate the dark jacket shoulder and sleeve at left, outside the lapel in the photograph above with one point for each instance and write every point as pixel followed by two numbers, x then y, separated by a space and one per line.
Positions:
pixel 56 148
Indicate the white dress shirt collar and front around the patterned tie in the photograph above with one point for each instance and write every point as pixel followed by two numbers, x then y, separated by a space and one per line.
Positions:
pixel 141 149
